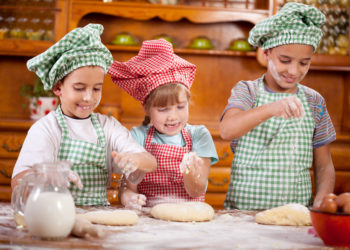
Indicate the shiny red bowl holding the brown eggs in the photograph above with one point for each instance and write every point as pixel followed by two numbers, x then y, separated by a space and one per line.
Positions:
pixel 333 228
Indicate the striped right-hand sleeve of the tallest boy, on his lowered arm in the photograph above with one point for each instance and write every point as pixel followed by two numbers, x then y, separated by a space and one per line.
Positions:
pixel 324 132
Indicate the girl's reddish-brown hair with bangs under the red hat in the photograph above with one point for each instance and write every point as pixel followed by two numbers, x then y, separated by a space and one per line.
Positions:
pixel 167 94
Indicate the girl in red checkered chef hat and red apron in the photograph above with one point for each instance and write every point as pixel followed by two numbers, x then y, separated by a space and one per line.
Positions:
pixel 160 80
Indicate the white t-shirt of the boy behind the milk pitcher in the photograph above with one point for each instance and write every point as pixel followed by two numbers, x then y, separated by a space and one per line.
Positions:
pixel 43 140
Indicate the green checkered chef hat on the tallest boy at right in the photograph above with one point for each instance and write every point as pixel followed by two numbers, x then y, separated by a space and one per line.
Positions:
pixel 294 23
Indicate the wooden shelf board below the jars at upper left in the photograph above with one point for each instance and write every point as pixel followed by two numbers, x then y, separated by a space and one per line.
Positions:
pixel 17 47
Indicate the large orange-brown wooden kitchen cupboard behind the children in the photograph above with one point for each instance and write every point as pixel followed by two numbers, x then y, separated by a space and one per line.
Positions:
pixel 218 70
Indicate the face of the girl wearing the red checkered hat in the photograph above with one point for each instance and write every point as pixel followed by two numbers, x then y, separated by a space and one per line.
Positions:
pixel 170 119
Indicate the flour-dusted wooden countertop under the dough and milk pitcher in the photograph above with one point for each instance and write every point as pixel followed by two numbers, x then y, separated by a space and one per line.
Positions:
pixel 231 229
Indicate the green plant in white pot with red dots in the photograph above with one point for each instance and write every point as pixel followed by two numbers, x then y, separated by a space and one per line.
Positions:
pixel 41 101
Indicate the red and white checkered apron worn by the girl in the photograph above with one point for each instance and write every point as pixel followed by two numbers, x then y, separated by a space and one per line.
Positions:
pixel 166 184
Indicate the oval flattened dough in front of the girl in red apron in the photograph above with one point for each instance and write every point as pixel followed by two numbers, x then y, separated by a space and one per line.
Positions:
pixel 186 211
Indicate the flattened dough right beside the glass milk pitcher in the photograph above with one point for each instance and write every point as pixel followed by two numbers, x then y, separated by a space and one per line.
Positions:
pixel 112 218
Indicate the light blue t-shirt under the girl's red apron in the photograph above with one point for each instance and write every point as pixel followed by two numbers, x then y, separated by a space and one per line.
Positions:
pixel 202 142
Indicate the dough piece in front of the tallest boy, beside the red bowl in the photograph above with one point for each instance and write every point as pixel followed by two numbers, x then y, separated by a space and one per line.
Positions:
pixel 287 215
